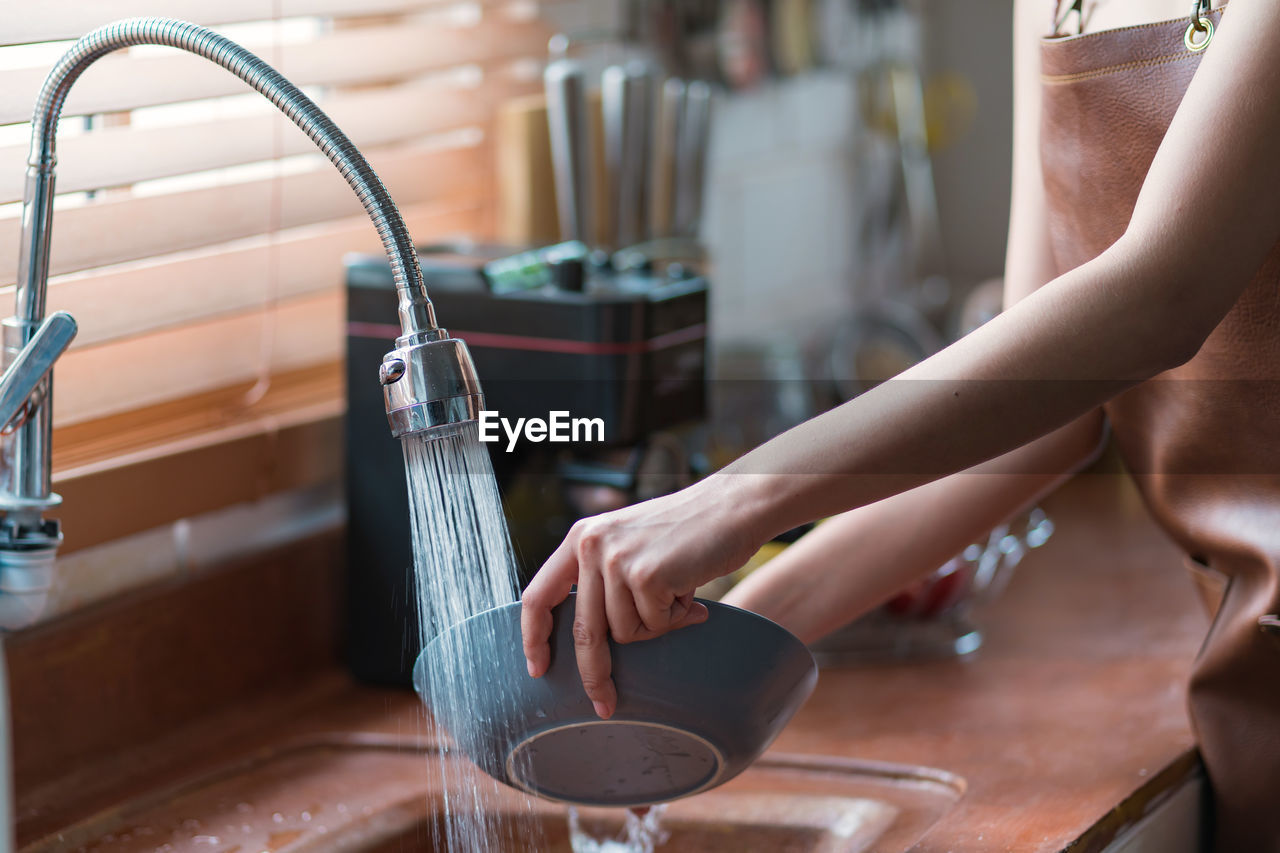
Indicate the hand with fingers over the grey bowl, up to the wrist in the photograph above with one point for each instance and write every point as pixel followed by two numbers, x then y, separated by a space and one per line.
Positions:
pixel 637 571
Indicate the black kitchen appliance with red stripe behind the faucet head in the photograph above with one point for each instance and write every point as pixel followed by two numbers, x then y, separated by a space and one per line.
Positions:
pixel 550 331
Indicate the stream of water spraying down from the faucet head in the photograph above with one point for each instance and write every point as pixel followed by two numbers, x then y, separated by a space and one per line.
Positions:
pixel 464 564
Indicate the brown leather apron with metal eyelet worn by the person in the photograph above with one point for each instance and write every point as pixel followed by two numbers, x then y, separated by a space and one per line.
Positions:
pixel 1203 441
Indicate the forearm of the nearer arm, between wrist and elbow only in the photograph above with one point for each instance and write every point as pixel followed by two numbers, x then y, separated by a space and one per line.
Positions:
pixel 1050 359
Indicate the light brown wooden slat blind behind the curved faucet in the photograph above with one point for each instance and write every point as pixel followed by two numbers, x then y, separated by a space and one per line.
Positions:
pixel 202 248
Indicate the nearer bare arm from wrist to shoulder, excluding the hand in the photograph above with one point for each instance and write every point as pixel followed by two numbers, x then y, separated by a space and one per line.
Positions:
pixel 1141 308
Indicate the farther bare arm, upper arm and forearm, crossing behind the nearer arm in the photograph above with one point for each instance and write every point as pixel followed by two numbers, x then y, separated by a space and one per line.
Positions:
pixel 858 560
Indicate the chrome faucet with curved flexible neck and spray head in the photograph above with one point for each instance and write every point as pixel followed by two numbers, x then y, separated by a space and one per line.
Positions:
pixel 429 378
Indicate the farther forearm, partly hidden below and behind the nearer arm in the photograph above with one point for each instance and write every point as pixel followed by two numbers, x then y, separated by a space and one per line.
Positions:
pixel 858 560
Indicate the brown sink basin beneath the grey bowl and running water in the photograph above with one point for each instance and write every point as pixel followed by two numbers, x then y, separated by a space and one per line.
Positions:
pixel 376 796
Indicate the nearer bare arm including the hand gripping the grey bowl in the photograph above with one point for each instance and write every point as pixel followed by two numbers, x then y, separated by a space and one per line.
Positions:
pixel 1144 307
